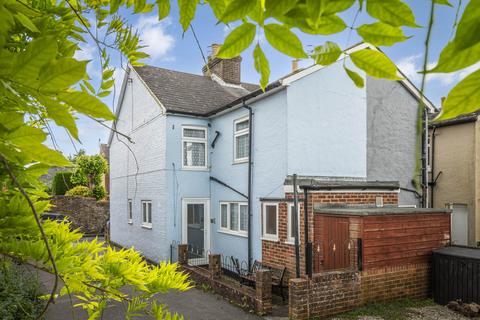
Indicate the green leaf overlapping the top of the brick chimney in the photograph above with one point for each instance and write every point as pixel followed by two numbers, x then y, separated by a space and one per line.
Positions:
pixel 237 41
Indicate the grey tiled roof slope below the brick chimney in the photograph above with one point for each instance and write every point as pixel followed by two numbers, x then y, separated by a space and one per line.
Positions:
pixel 187 93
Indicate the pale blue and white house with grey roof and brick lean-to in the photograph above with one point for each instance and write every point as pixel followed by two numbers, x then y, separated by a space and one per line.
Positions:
pixel 210 151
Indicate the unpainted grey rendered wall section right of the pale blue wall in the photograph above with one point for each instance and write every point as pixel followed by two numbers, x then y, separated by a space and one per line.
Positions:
pixel 391 135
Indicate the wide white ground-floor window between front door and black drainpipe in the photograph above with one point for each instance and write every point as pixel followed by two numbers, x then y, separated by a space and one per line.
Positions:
pixel 234 217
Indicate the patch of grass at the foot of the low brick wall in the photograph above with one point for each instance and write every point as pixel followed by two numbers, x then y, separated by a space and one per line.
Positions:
pixel 395 310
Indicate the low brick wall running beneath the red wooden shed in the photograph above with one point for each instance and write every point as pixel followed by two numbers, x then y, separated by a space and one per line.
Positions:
pixel 334 292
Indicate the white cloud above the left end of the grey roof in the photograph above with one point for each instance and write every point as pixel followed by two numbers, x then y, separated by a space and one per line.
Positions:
pixel 154 36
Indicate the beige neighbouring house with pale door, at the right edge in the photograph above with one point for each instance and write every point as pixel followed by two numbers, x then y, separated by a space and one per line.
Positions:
pixel 454 171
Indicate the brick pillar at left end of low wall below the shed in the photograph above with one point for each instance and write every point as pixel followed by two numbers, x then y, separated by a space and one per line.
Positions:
pixel 297 299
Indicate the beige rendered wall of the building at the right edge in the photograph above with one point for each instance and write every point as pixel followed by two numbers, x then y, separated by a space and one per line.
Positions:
pixel 455 157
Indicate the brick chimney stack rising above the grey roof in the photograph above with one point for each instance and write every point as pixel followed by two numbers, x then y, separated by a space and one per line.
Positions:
pixel 227 69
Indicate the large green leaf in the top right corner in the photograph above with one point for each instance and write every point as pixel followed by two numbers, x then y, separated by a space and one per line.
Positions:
pixel 468 29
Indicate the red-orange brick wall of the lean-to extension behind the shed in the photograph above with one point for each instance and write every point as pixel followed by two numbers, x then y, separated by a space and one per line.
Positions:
pixel 282 253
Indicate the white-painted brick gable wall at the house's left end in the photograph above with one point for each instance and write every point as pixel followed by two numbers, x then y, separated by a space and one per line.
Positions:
pixel 137 172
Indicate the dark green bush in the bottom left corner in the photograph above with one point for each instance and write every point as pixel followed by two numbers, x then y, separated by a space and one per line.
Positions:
pixel 19 293
